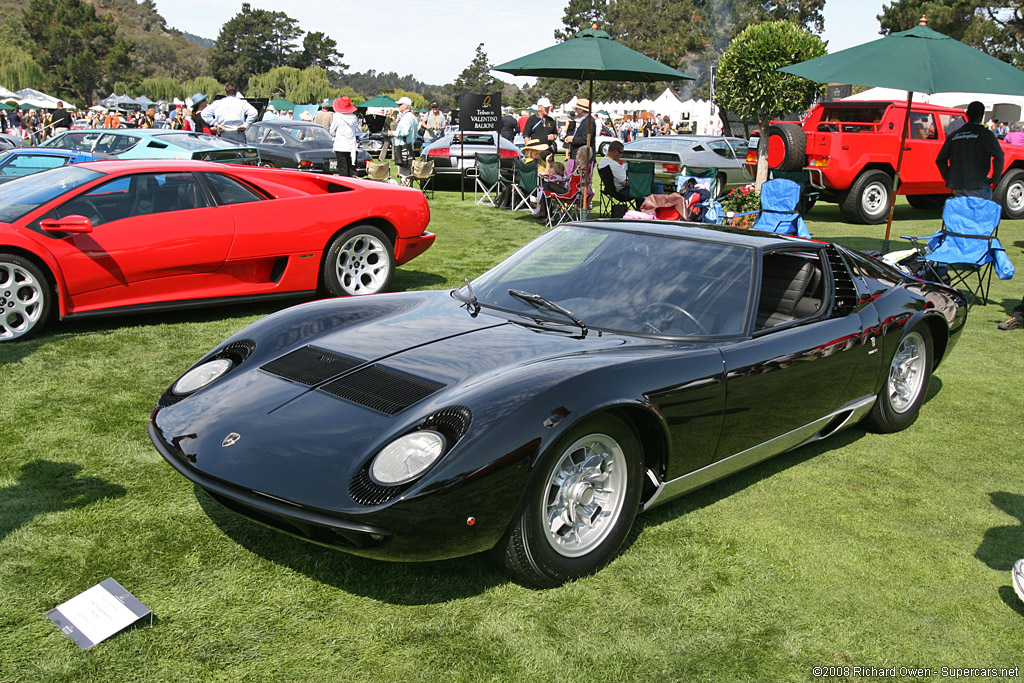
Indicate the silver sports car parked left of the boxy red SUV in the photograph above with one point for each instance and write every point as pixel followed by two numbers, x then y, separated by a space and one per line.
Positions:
pixel 671 154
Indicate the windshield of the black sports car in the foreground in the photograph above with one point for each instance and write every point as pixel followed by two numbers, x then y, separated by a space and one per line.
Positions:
pixel 625 282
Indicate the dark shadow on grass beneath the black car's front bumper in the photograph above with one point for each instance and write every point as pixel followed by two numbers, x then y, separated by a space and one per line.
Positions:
pixel 395 583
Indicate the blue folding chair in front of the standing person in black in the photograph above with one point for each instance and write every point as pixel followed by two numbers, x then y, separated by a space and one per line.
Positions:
pixel 967 247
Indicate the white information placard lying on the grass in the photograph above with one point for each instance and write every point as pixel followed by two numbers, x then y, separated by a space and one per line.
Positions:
pixel 100 613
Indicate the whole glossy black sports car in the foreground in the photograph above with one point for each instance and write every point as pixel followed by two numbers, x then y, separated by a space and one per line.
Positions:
pixel 604 369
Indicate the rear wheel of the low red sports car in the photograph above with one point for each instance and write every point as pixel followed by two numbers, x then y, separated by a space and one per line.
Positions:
pixel 361 261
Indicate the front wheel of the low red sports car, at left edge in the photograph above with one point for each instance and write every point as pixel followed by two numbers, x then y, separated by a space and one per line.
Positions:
pixel 25 301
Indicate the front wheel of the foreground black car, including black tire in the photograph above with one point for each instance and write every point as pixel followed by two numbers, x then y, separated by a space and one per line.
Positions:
pixel 579 507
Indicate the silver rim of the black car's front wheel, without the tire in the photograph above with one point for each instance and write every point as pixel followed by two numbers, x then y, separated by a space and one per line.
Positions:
pixel 584 495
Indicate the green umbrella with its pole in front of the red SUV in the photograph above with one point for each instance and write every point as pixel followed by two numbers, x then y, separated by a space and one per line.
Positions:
pixel 920 60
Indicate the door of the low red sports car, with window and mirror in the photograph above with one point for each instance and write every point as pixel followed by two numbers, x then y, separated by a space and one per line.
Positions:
pixel 146 227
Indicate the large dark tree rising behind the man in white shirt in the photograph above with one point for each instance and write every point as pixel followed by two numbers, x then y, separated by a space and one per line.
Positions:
pixel 253 41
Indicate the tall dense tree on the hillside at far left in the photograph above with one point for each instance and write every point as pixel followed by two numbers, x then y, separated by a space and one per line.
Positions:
pixel 74 47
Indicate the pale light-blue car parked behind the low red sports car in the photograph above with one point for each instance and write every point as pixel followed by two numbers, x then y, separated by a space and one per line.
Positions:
pixel 154 144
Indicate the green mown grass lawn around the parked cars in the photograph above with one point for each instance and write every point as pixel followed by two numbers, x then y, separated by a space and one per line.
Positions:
pixel 863 550
